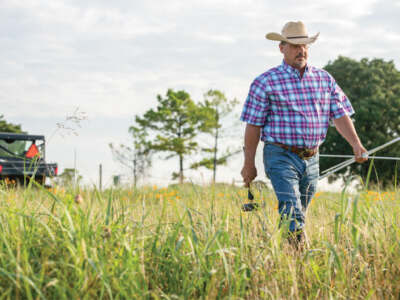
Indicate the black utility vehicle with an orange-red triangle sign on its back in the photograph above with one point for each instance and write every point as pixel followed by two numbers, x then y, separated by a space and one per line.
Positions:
pixel 23 156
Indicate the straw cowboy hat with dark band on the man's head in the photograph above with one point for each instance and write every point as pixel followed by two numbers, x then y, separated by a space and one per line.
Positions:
pixel 293 33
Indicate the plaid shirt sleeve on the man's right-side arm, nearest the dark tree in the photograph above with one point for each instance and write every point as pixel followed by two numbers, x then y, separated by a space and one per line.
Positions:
pixel 339 103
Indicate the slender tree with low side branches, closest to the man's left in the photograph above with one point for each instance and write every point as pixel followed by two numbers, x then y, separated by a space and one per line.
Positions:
pixel 217 107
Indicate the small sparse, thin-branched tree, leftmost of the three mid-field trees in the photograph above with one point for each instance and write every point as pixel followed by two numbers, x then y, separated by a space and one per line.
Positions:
pixel 136 157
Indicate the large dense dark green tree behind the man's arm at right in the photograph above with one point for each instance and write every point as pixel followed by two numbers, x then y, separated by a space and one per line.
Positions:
pixel 373 87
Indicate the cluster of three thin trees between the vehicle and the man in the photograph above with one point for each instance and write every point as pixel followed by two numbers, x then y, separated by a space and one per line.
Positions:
pixel 173 128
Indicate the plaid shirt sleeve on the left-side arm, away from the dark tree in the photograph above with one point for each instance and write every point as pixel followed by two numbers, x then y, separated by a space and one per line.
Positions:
pixel 255 108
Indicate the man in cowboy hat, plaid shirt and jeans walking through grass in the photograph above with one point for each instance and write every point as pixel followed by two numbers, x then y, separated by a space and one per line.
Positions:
pixel 289 107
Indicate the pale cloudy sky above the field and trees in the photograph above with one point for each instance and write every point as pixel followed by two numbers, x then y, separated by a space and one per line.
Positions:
pixel 103 62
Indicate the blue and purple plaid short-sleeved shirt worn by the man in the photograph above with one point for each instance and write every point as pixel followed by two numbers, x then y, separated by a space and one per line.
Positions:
pixel 295 111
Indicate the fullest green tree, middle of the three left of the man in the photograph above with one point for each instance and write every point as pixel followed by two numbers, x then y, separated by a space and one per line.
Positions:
pixel 175 123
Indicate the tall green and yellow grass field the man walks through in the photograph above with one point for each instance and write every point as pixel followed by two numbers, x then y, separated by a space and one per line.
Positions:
pixel 192 242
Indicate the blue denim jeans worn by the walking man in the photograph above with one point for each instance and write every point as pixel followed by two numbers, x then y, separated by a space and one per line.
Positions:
pixel 294 181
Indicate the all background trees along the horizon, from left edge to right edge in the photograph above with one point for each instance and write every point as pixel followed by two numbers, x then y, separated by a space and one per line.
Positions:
pixel 174 126
